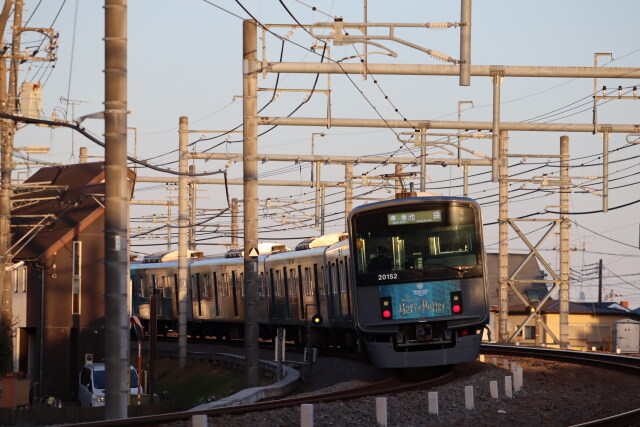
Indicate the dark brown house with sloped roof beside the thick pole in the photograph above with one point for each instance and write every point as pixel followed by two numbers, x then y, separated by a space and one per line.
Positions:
pixel 57 221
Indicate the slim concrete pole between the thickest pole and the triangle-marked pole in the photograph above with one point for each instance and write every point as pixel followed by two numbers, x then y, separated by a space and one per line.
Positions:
pixel 183 182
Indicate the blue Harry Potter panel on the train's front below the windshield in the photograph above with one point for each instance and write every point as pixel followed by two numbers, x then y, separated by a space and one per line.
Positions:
pixel 421 299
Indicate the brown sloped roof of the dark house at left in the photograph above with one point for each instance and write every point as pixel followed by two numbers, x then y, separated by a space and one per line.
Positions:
pixel 53 204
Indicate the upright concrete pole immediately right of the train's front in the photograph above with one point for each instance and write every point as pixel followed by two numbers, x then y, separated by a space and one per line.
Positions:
pixel 503 234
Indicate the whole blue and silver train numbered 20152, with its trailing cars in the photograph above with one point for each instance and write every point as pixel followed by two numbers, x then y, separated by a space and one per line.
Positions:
pixel 407 282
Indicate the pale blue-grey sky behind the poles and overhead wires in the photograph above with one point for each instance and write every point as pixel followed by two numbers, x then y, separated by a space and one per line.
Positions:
pixel 185 59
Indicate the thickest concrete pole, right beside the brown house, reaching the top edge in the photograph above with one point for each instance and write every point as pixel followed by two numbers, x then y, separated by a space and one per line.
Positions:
pixel 116 211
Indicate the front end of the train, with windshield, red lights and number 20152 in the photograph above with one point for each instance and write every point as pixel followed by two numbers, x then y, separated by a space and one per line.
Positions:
pixel 420 280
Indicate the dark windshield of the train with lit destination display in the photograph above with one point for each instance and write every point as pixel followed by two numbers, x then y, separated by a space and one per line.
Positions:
pixel 417 242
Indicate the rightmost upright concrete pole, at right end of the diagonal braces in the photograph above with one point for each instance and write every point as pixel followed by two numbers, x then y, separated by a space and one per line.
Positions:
pixel 564 241
